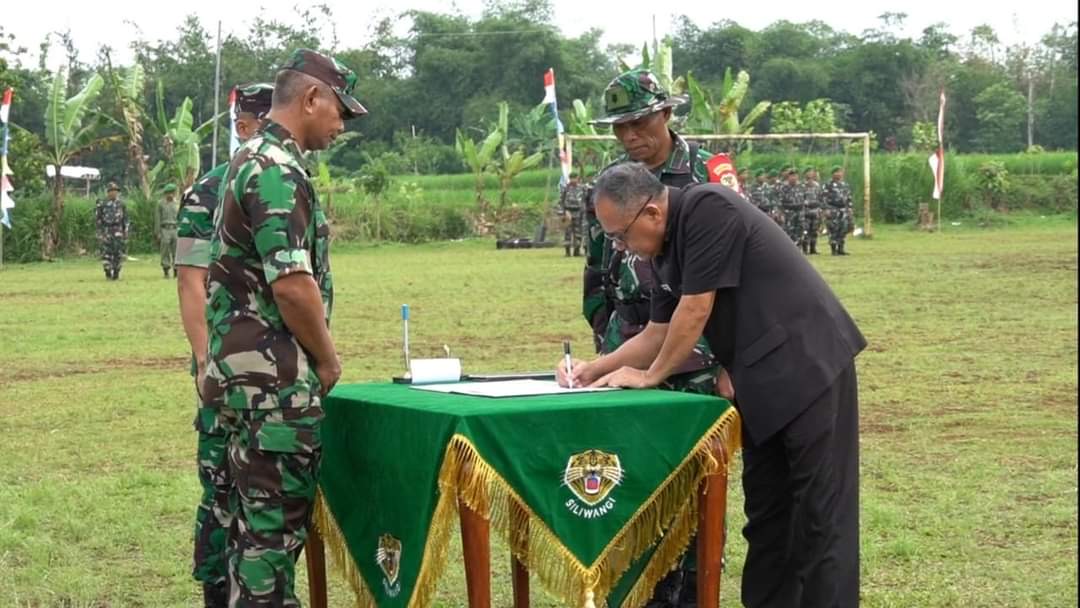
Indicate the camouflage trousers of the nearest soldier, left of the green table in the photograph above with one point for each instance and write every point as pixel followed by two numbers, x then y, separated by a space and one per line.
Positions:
pixel 274 462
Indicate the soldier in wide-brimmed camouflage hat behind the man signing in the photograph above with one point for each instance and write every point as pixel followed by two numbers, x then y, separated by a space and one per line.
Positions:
pixel 618 285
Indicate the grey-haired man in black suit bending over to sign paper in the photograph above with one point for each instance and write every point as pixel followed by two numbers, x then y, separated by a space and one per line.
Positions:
pixel 788 349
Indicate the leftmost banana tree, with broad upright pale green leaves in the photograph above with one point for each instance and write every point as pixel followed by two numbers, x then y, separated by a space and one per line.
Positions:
pixel 72 128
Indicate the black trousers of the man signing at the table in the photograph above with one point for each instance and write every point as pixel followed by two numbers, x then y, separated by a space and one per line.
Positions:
pixel 802 492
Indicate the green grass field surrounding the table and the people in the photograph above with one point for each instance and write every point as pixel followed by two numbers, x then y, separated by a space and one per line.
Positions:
pixel 968 389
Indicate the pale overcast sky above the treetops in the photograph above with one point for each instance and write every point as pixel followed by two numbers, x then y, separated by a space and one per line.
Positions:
pixel 92 24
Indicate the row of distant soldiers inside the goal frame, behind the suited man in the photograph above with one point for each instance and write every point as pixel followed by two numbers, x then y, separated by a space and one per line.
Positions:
pixel 802 207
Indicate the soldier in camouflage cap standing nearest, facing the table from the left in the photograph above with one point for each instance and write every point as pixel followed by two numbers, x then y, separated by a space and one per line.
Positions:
pixel 272 357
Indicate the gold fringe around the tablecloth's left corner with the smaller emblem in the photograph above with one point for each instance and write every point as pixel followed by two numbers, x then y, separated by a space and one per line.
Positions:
pixel 433 566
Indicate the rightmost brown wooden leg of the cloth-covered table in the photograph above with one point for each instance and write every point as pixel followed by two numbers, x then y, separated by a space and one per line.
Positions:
pixel 712 510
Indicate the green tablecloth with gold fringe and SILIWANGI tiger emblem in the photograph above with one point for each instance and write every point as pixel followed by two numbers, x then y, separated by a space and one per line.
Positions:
pixel 583 487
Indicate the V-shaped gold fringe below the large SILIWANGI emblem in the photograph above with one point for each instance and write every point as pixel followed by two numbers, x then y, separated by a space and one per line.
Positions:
pixel 672 508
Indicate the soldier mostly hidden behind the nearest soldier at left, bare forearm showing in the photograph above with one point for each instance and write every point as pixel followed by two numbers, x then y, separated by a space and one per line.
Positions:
pixel 196 219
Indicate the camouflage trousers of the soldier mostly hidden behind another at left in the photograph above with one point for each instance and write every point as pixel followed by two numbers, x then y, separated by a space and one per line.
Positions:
pixel 214 514
